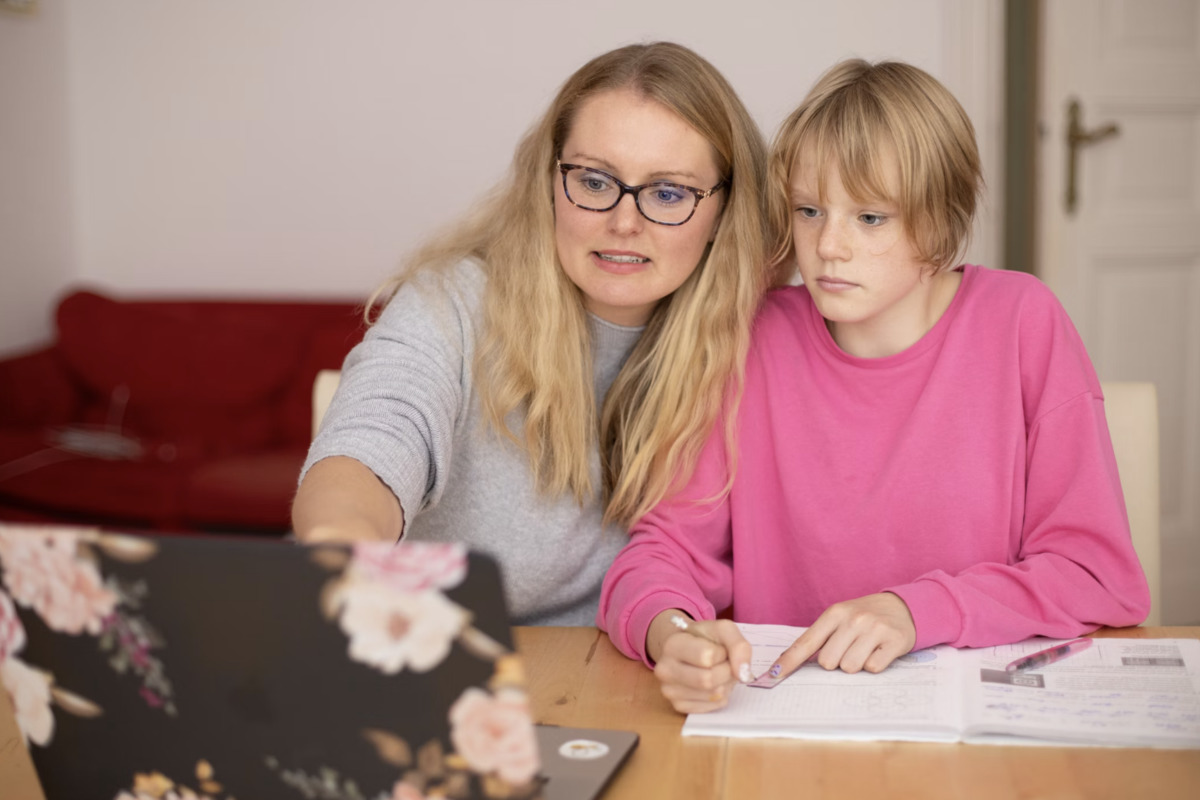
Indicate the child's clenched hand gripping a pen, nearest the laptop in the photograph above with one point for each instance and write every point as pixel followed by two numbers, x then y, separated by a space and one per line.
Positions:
pixel 698 669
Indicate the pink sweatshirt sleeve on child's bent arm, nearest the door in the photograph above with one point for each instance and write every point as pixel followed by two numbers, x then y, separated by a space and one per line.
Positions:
pixel 1075 569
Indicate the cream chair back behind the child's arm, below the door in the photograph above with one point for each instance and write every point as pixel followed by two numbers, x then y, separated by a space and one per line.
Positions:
pixel 1132 412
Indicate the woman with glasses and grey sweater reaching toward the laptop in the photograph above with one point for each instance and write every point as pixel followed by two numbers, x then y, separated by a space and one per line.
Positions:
pixel 549 370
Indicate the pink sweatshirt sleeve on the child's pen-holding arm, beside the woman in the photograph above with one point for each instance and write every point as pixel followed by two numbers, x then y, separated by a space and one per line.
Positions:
pixel 677 557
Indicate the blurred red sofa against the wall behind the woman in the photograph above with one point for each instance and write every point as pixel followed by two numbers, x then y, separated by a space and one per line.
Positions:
pixel 172 416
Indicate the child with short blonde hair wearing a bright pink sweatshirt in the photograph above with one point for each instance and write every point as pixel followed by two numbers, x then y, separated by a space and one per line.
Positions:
pixel 923 456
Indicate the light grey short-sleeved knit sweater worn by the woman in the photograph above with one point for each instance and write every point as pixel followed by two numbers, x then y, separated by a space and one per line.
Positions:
pixel 407 408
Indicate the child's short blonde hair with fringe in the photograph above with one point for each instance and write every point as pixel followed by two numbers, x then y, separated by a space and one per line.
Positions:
pixel 853 116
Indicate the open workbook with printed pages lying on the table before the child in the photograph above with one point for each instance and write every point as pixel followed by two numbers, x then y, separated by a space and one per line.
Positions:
pixel 1121 693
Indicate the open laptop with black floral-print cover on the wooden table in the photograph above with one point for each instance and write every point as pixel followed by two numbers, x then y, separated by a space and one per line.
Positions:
pixel 261 669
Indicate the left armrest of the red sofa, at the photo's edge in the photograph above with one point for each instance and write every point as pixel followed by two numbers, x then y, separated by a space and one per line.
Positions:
pixel 37 389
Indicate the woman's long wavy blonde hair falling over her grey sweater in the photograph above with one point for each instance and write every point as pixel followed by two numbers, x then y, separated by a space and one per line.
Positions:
pixel 687 366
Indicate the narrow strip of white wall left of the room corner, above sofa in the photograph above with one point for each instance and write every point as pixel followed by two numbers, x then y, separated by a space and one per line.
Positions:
pixel 35 215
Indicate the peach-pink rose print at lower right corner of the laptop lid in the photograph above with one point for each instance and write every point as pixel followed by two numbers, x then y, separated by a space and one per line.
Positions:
pixel 495 733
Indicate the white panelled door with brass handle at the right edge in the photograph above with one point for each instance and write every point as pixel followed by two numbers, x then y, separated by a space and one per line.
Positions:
pixel 1126 262
